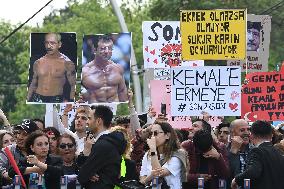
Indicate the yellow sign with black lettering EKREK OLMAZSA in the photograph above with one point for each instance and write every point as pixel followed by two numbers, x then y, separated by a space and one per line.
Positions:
pixel 213 34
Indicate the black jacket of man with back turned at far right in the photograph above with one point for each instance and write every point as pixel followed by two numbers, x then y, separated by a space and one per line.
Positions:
pixel 265 168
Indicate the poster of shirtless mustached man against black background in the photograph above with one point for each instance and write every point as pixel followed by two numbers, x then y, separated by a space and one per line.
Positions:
pixel 53 71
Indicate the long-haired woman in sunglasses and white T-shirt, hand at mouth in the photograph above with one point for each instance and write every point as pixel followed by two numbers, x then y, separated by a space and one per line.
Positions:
pixel 164 165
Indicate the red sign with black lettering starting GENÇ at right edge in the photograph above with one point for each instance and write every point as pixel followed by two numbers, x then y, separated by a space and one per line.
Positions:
pixel 263 96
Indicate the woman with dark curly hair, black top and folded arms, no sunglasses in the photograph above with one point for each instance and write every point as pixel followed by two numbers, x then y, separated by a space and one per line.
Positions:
pixel 39 161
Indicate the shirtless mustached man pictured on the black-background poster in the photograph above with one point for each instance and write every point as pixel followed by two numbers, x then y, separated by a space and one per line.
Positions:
pixel 50 73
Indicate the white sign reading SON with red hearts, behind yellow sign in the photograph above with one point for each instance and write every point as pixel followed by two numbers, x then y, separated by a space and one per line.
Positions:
pixel 162 44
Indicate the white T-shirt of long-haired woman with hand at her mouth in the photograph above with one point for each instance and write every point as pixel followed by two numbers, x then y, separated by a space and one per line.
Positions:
pixel 173 166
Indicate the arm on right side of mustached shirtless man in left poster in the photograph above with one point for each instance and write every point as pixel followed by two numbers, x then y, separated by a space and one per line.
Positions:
pixel 71 77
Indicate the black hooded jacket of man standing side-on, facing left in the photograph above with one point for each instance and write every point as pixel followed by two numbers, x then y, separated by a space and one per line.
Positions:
pixel 104 161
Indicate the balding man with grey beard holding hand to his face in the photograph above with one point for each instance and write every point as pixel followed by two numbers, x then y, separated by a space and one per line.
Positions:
pixel 239 146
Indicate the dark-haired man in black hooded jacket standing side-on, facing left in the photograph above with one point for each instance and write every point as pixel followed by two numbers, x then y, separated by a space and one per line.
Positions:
pixel 102 167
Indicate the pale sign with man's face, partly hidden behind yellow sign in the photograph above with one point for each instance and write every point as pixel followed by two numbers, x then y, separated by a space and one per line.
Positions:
pixel 258 39
